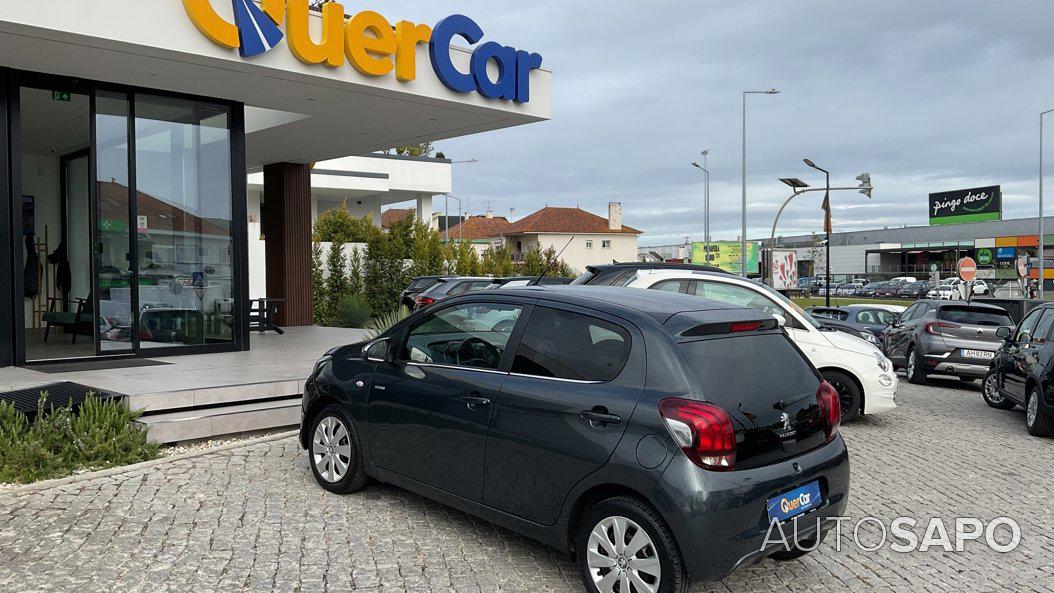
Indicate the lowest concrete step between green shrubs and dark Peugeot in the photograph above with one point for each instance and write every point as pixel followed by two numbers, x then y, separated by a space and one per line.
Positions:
pixel 191 425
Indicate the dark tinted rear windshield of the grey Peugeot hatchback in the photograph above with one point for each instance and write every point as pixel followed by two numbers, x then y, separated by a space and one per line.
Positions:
pixel 750 372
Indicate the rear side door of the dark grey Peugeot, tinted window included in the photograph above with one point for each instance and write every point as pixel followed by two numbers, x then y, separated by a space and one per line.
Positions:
pixel 575 380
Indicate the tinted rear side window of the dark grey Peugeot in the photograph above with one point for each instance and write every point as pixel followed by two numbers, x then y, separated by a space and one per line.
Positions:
pixel 572 346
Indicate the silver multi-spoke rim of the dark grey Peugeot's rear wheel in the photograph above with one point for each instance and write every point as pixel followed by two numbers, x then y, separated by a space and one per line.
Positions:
pixel 622 558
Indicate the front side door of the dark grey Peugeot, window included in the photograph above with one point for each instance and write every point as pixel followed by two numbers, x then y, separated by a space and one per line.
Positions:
pixel 430 410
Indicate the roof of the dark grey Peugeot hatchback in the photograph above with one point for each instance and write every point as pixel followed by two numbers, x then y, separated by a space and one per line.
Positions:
pixel 629 303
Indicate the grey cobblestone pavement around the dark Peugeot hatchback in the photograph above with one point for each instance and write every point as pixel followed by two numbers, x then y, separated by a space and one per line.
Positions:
pixel 252 520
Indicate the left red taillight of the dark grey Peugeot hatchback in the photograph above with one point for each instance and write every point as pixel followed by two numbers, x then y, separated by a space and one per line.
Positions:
pixel 704 432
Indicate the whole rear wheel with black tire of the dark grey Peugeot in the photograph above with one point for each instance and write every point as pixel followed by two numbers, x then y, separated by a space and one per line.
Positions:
pixel 597 543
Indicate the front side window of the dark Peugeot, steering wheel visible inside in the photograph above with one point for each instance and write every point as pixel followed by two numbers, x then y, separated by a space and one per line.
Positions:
pixel 466 335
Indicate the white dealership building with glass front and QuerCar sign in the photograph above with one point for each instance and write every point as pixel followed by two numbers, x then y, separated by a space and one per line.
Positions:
pixel 128 132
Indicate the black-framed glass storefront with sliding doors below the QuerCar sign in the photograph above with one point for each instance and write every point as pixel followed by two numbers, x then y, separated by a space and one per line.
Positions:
pixel 124 210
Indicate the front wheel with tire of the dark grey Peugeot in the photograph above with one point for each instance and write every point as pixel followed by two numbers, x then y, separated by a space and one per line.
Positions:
pixel 335 445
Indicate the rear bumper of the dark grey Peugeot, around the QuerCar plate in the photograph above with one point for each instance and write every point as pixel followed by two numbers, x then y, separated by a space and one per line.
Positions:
pixel 720 519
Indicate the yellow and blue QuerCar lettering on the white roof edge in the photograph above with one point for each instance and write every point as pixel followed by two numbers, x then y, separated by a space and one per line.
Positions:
pixel 372 45
